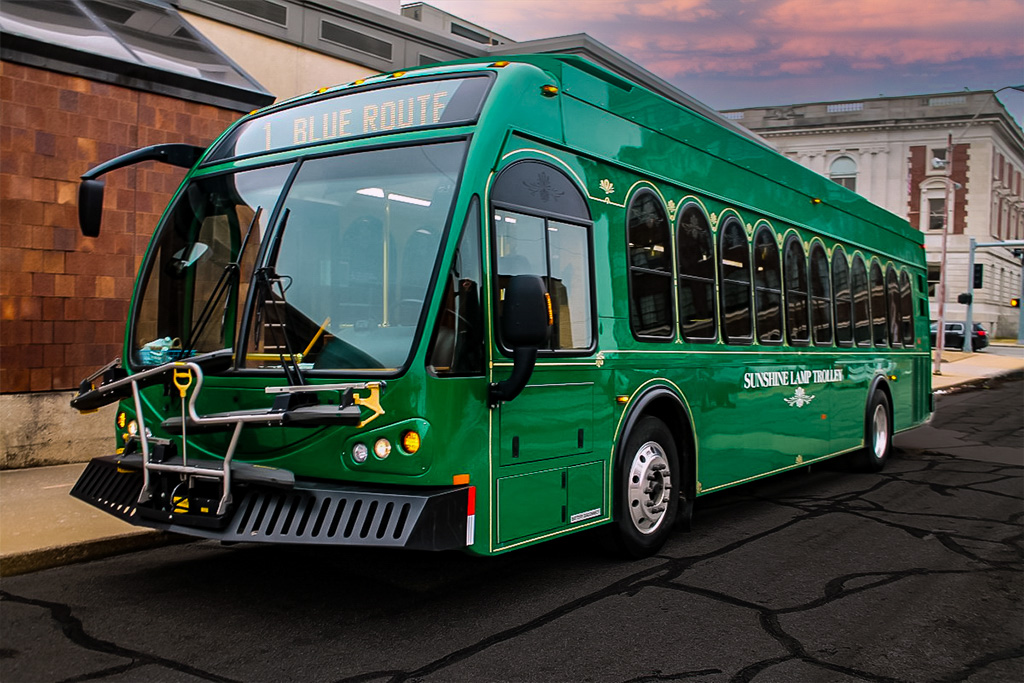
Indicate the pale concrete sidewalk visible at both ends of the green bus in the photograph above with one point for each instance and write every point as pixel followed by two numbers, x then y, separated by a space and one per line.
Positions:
pixel 42 527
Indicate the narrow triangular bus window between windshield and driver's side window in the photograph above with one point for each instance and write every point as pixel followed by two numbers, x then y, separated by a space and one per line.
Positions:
pixel 458 343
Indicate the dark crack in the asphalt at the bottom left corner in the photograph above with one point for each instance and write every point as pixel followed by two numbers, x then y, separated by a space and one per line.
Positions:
pixel 72 628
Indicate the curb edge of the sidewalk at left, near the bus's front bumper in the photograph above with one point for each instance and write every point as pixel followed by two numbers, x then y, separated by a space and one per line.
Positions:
pixel 48 559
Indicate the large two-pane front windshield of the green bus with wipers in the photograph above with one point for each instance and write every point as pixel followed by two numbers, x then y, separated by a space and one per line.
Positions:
pixel 342 281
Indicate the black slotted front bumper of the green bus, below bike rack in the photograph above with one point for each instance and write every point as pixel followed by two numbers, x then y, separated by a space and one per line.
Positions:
pixel 296 513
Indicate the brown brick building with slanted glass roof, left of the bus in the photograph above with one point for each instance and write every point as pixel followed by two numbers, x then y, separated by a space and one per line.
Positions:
pixel 64 297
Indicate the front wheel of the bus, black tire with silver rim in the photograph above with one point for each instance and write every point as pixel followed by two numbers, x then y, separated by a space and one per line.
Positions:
pixel 648 490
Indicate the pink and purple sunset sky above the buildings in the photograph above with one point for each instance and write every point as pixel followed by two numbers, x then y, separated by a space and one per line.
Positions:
pixel 733 54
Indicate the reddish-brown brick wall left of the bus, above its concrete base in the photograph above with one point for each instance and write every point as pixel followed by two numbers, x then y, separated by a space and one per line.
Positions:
pixel 64 298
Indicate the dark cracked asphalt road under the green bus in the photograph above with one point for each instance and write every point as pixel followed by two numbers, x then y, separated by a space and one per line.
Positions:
pixel 912 575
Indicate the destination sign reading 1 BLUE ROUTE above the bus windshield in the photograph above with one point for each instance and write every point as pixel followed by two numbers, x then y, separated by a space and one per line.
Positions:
pixel 389 110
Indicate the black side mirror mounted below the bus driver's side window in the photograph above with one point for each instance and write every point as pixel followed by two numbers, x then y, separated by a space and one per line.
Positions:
pixel 526 325
